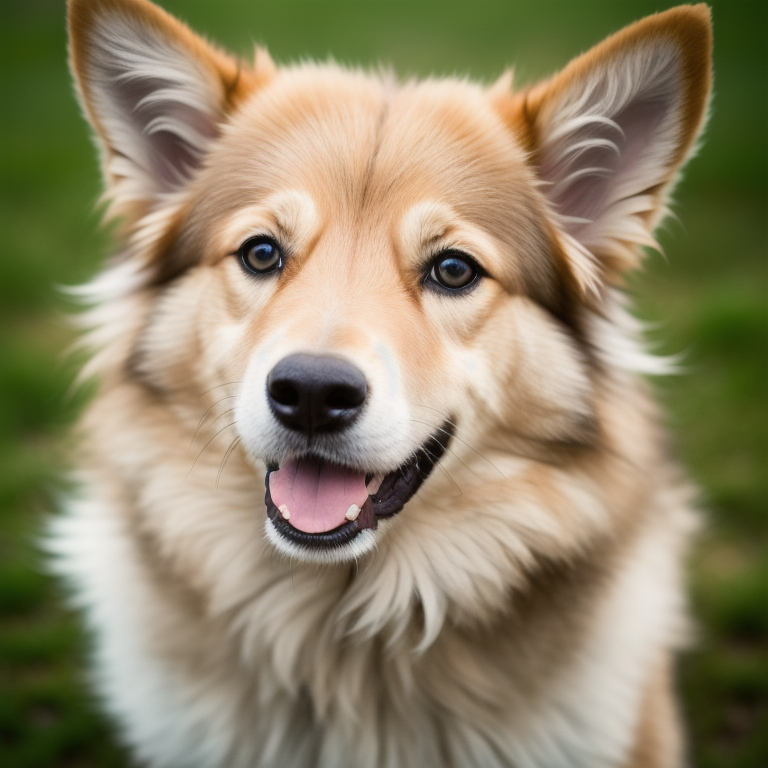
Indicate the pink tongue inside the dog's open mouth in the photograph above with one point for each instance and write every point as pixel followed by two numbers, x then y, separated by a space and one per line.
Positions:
pixel 316 493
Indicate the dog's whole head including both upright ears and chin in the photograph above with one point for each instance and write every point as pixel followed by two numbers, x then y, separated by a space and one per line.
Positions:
pixel 385 279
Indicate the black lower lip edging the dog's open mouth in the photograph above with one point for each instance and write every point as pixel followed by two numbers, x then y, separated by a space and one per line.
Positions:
pixel 394 492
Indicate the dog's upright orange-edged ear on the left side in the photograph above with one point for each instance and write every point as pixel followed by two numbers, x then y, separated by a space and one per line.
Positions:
pixel 154 92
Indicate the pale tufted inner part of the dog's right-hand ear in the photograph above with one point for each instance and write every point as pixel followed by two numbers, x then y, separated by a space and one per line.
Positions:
pixel 609 135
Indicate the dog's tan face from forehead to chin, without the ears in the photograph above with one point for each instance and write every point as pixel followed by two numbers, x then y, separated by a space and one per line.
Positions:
pixel 361 288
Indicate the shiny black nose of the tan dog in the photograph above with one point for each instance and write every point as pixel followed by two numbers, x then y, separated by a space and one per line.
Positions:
pixel 316 393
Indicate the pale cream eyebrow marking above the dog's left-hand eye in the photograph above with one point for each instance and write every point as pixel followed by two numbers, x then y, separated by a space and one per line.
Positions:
pixel 292 213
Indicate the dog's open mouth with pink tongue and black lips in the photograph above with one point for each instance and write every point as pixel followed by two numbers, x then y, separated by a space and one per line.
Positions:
pixel 319 505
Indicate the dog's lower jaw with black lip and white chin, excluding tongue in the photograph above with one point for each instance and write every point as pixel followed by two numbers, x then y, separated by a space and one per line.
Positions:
pixel 354 538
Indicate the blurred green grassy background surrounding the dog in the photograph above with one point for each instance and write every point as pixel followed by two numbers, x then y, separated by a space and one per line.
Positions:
pixel 707 298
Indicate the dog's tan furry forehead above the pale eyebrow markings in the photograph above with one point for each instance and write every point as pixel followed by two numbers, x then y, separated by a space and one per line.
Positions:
pixel 355 140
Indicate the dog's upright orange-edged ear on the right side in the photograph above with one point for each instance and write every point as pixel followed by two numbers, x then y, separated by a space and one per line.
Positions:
pixel 609 132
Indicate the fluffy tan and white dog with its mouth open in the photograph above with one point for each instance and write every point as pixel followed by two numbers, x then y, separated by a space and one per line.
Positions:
pixel 372 476
